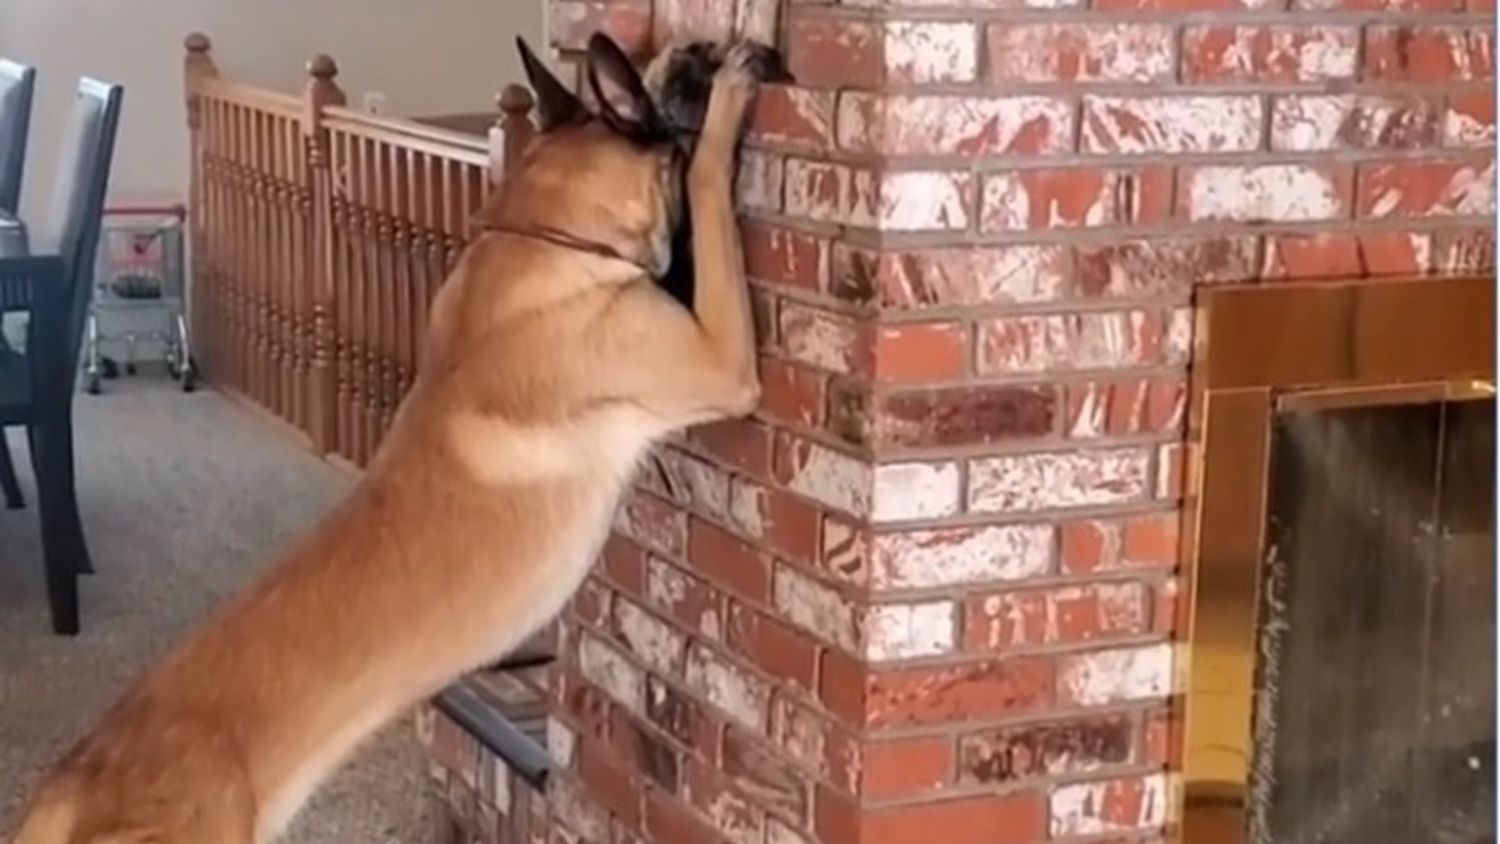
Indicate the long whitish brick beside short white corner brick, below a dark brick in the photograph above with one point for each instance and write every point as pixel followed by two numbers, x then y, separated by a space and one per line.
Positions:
pixel 1021 483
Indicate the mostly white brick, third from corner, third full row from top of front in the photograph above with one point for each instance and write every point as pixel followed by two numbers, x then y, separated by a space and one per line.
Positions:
pixel 1264 194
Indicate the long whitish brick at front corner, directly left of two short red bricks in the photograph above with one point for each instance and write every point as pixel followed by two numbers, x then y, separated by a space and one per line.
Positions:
pixel 955 557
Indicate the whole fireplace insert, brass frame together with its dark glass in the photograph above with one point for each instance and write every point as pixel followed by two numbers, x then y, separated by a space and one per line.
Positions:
pixel 1340 678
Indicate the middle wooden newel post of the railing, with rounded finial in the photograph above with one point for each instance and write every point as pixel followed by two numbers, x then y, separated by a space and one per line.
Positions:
pixel 320 94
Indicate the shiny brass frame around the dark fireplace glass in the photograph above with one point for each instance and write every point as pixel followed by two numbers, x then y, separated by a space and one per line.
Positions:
pixel 1268 349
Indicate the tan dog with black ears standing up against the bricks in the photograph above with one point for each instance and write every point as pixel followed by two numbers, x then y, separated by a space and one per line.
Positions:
pixel 551 364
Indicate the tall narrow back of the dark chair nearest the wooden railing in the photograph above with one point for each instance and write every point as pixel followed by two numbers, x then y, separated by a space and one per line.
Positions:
pixel 83 181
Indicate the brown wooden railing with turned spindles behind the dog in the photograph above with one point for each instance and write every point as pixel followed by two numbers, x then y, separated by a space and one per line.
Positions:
pixel 319 238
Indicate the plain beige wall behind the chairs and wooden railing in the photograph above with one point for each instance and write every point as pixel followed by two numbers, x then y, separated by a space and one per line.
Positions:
pixel 427 56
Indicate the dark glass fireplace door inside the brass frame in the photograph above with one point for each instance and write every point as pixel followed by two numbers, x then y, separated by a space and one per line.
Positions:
pixel 1375 668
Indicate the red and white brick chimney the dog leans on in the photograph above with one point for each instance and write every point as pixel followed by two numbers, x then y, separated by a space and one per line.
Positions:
pixel 932 591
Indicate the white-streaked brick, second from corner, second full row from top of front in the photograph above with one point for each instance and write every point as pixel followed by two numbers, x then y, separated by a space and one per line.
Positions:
pixel 1171 125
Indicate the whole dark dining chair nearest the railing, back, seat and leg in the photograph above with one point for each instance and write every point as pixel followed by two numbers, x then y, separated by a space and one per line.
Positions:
pixel 38 385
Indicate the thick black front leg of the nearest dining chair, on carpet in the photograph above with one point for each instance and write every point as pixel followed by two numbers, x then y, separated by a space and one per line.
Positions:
pixel 62 533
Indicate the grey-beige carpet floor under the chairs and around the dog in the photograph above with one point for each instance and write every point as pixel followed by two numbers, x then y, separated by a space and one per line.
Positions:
pixel 184 497
